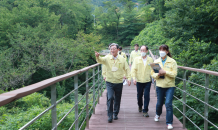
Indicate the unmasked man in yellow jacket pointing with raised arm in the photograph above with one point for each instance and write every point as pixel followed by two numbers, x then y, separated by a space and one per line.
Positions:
pixel 116 67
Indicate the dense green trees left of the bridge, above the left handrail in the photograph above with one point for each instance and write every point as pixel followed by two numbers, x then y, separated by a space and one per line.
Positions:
pixel 42 39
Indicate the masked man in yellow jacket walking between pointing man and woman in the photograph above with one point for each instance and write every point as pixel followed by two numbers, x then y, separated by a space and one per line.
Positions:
pixel 141 74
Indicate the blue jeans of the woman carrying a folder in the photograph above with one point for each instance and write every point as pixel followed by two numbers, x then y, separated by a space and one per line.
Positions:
pixel 161 94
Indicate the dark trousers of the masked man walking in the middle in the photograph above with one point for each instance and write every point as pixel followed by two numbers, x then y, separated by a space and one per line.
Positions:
pixel 143 88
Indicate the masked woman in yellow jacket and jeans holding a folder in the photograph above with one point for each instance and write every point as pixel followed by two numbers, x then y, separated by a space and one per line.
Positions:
pixel 165 86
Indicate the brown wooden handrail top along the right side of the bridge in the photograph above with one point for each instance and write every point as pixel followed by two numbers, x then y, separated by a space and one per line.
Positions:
pixel 192 69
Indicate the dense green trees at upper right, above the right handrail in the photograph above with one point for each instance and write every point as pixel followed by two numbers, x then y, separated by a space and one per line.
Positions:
pixel 185 24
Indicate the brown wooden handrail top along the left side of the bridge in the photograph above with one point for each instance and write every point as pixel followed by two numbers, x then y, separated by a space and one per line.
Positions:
pixel 8 97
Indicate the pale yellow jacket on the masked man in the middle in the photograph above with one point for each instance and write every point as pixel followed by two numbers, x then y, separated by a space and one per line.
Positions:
pixel 141 72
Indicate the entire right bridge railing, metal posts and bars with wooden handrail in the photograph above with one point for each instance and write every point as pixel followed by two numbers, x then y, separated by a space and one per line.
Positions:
pixel 185 93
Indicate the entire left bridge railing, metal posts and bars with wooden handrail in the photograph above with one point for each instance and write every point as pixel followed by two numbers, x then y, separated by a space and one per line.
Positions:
pixel 8 97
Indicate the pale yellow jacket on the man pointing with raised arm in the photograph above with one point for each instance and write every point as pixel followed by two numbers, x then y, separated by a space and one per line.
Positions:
pixel 120 63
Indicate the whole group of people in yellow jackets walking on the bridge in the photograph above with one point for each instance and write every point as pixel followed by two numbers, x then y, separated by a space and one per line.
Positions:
pixel 115 69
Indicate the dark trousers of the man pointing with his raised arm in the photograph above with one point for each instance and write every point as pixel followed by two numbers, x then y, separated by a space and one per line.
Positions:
pixel 114 93
